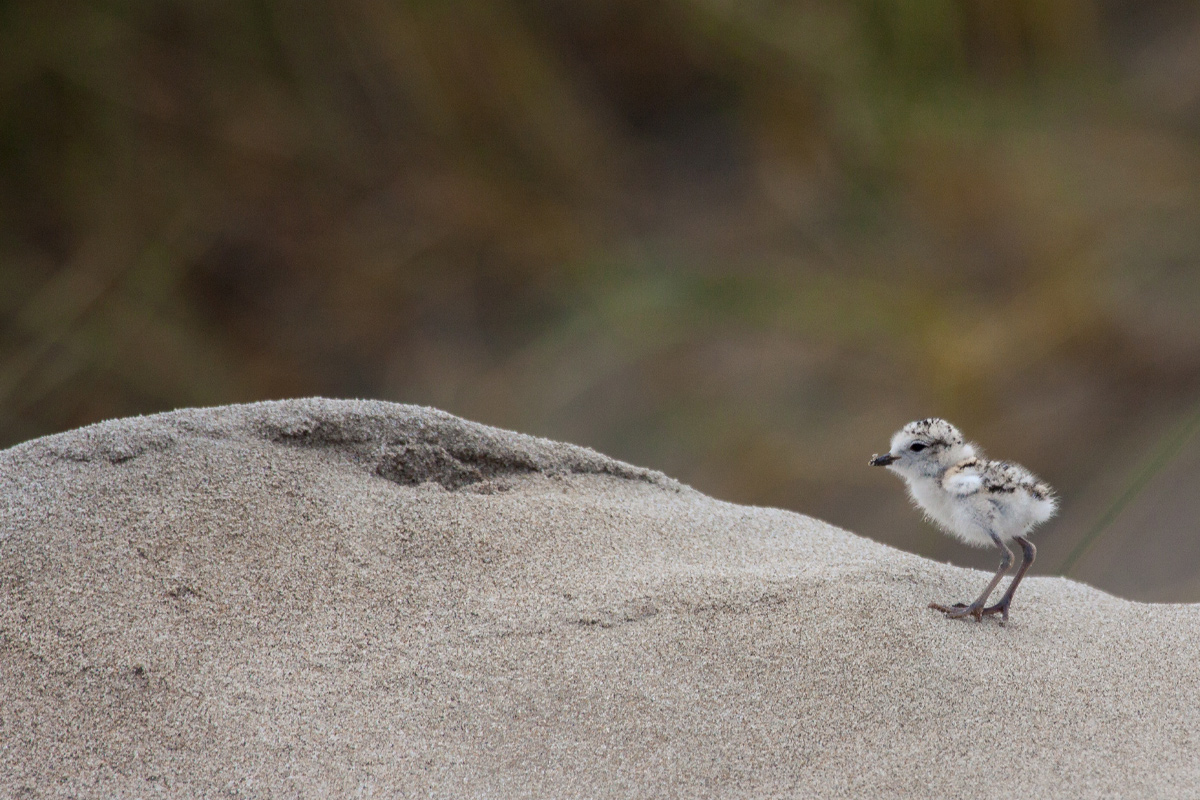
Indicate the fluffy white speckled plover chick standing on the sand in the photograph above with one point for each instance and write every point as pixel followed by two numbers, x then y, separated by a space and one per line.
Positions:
pixel 980 502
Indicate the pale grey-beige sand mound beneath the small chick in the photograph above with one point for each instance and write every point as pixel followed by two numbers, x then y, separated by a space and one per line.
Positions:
pixel 358 599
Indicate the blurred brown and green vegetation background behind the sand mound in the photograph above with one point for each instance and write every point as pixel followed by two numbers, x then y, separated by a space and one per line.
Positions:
pixel 741 242
